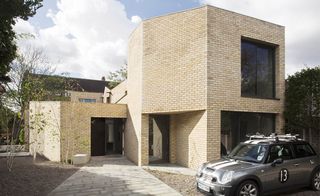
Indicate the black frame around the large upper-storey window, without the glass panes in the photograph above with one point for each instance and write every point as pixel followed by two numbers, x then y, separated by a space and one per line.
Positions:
pixel 271 48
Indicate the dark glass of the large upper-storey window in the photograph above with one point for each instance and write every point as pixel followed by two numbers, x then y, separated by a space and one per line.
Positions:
pixel 257 70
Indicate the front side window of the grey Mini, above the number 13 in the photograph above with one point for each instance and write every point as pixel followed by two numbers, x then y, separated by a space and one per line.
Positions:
pixel 279 151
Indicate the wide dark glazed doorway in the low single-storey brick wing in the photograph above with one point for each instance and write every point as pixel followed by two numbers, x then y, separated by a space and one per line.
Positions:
pixel 106 136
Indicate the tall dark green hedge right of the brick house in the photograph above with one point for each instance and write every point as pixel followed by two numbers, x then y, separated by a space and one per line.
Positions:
pixel 302 103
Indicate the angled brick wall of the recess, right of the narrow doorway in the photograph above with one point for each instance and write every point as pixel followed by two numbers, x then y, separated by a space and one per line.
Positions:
pixel 186 139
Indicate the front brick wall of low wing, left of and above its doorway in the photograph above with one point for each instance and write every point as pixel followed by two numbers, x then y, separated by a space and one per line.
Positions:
pixel 76 124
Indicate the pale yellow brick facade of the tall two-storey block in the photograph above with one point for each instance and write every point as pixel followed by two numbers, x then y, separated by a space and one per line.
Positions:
pixel 189 66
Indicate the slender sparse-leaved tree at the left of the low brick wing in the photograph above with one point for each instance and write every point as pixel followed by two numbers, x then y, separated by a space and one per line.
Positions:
pixel 31 80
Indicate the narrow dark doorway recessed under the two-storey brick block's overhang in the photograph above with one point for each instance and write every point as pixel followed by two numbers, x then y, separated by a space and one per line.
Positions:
pixel 159 126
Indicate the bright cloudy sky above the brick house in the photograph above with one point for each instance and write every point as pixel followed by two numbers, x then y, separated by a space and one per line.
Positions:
pixel 88 39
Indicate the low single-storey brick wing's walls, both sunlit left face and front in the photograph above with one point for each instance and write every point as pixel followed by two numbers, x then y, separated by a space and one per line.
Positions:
pixel 66 130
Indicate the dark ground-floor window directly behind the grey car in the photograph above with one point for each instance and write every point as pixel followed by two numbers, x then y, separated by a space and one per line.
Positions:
pixel 235 126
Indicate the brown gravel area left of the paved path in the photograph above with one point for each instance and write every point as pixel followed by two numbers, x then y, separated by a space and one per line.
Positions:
pixel 32 178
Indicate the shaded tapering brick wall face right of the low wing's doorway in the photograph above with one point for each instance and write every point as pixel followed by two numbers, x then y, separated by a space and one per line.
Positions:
pixel 131 141
